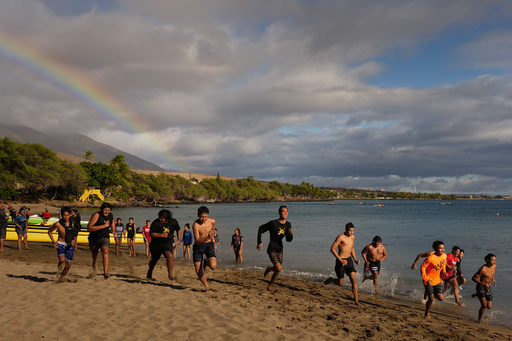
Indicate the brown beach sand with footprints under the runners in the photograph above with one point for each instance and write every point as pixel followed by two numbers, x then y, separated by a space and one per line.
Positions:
pixel 126 306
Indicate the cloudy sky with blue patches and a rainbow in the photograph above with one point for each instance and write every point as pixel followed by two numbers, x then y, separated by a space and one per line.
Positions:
pixel 393 95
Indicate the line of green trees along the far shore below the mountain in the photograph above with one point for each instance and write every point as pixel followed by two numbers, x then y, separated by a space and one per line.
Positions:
pixel 34 171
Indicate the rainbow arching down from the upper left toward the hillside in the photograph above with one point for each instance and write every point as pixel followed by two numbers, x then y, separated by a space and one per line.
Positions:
pixel 81 87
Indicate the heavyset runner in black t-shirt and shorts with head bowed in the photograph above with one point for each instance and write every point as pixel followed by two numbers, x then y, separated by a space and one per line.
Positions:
pixel 162 240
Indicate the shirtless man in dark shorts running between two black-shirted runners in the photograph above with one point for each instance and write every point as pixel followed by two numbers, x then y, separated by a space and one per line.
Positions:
pixel 204 230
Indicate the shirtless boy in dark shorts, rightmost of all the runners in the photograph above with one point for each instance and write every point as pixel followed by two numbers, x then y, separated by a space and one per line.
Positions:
pixel 483 284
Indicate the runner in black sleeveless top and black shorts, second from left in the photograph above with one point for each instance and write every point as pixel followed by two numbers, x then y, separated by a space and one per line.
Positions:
pixel 100 224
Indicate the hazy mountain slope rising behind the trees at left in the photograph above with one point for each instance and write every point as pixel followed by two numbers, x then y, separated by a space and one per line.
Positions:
pixel 76 145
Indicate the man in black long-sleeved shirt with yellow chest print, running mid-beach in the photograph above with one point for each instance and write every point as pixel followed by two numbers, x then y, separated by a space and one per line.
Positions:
pixel 278 229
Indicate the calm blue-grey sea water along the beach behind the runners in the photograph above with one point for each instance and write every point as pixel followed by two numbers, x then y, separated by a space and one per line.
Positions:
pixel 407 228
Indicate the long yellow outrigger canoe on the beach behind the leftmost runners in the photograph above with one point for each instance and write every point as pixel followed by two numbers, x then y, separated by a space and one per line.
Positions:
pixel 38 233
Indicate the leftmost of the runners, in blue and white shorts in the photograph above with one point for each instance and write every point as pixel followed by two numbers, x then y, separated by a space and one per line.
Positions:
pixel 66 241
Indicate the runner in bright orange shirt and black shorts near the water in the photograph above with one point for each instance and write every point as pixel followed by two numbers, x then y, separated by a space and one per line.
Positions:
pixel 431 275
